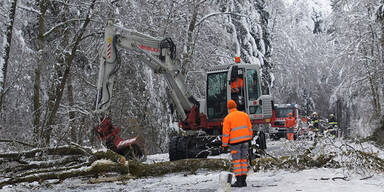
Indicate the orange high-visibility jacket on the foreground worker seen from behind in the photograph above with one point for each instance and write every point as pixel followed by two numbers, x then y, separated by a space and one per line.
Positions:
pixel 237 128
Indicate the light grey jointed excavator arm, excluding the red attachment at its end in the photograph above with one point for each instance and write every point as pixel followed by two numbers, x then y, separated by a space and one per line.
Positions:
pixel 160 54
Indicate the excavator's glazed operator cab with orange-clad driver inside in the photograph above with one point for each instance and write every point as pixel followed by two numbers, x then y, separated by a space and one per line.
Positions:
pixel 242 84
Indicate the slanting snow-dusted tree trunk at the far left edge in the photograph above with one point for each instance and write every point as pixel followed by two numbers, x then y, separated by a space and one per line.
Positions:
pixel 6 51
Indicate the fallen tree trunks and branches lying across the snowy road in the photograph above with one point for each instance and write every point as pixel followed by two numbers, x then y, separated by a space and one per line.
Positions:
pixel 94 163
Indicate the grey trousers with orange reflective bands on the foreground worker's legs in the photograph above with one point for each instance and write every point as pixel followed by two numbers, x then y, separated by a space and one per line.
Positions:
pixel 239 154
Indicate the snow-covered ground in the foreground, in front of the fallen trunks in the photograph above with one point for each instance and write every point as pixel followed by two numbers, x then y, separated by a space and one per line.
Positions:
pixel 312 180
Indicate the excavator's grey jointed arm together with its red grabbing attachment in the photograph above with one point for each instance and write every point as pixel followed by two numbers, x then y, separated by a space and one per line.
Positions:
pixel 160 54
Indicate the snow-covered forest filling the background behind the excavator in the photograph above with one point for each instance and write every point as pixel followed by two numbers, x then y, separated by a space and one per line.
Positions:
pixel 327 58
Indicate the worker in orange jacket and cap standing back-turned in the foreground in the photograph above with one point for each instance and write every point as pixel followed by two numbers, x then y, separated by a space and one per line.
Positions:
pixel 237 132
